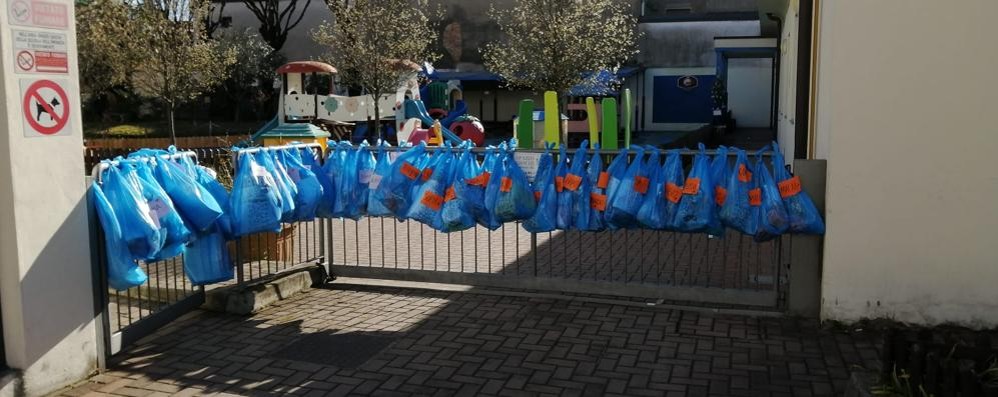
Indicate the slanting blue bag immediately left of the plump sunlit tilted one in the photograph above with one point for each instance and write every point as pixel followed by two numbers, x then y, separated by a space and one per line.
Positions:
pixel 174 231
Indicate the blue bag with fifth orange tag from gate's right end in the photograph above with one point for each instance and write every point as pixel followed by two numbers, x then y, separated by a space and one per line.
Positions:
pixel 696 212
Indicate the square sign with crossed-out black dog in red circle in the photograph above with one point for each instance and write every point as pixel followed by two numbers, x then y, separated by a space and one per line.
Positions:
pixel 45 107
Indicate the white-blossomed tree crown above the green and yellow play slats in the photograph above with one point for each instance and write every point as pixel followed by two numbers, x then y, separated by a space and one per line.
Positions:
pixel 554 45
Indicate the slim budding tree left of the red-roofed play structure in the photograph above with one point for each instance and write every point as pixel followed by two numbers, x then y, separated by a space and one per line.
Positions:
pixel 178 61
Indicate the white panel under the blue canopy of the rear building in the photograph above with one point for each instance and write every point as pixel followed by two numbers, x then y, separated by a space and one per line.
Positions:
pixel 750 84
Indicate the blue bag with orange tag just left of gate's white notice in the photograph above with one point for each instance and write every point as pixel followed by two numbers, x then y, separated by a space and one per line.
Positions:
pixel 515 200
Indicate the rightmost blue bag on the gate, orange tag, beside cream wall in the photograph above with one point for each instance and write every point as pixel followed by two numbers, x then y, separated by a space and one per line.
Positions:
pixel 803 214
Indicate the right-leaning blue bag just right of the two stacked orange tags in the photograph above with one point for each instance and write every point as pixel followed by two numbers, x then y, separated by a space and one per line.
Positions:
pixel 630 194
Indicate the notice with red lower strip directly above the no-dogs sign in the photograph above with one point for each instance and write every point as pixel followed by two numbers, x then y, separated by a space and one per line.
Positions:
pixel 40 52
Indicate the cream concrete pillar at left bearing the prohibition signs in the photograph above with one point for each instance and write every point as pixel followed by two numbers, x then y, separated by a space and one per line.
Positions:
pixel 45 274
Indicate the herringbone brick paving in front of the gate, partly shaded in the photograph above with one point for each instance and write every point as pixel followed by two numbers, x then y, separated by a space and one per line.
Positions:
pixel 350 340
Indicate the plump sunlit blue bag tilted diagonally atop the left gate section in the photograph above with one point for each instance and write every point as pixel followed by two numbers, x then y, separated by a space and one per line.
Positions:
pixel 195 204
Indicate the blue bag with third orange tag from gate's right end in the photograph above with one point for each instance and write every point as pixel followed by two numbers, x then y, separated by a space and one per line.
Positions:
pixel 740 208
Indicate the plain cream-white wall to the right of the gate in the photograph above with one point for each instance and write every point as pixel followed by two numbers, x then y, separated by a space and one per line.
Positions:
pixel 905 116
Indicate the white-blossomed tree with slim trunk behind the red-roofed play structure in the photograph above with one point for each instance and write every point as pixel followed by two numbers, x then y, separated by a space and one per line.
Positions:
pixel 375 42
